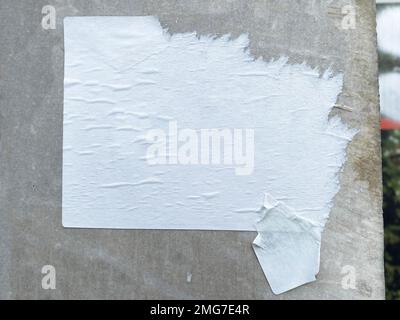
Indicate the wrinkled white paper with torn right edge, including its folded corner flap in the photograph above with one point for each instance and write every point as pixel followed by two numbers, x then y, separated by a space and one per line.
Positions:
pixel 125 76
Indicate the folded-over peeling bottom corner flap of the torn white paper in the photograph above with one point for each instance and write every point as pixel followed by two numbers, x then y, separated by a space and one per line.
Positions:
pixel 287 246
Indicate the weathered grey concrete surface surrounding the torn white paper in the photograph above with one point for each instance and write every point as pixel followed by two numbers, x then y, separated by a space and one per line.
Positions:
pixel 155 264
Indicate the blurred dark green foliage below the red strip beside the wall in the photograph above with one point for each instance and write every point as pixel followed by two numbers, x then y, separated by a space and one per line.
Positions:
pixel 391 208
